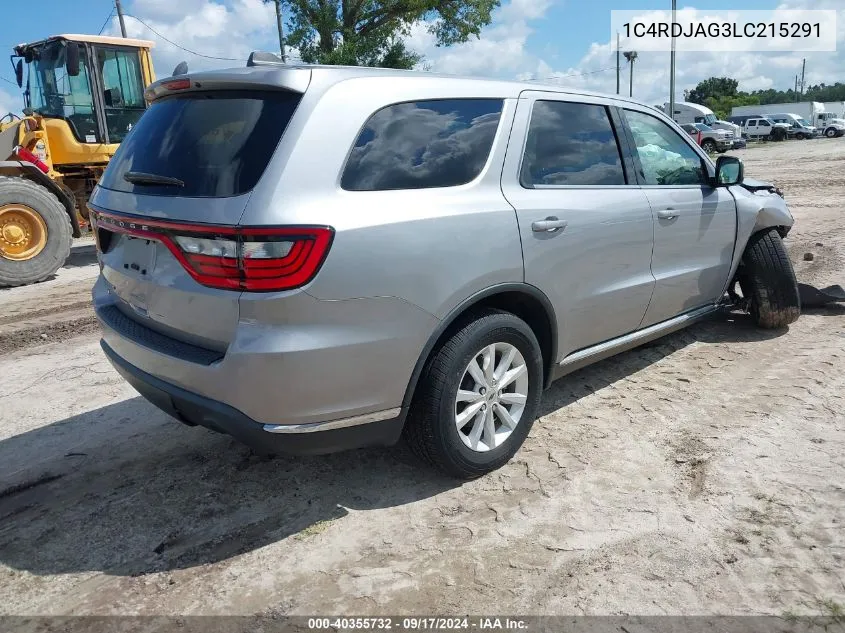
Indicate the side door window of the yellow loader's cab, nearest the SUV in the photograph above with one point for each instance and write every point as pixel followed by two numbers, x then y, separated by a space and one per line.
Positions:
pixel 123 90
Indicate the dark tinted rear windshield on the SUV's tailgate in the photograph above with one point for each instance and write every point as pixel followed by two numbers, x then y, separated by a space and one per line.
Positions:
pixel 216 143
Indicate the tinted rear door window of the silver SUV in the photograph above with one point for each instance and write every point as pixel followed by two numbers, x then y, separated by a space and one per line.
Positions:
pixel 571 144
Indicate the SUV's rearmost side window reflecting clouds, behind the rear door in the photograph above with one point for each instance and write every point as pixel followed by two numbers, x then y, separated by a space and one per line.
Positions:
pixel 423 144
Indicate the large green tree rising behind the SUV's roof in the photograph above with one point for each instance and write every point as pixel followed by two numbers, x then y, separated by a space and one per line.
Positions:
pixel 371 32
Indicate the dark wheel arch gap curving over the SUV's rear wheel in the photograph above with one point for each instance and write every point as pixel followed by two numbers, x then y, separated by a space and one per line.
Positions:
pixel 523 300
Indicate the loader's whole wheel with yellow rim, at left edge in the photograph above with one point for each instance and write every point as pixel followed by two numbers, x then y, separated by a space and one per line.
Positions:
pixel 20 197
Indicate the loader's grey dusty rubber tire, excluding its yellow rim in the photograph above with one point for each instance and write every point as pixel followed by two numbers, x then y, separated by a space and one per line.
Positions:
pixel 21 191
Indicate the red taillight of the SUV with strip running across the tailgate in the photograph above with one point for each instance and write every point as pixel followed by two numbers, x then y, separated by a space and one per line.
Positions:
pixel 255 259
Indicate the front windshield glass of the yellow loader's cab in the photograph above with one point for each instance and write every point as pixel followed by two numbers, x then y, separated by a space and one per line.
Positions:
pixel 52 93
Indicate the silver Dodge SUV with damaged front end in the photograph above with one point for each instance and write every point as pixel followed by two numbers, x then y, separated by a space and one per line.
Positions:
pixel 313 259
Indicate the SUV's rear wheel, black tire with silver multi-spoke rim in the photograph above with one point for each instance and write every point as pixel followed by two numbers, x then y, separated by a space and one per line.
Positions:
pixel 478 396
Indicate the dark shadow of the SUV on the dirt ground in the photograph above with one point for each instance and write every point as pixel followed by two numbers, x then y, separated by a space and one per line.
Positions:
pixel 125 490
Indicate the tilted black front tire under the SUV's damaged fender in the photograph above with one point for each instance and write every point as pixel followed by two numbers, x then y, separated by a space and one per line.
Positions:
pixel 768 281
